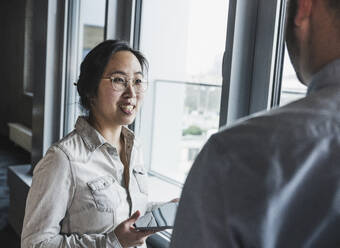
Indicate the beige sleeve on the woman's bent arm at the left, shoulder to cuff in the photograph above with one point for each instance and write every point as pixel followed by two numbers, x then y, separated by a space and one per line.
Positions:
pixel 50 195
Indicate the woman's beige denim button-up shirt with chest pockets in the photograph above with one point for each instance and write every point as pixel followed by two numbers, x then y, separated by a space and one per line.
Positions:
pixel 78 196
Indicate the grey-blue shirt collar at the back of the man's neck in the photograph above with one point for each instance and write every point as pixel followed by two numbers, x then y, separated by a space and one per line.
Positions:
pixel 328 76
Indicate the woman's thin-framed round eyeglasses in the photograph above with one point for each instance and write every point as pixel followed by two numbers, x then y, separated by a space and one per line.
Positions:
pixel 120 83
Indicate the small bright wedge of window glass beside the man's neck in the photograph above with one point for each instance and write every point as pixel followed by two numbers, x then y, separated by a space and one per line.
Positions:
pixel 291 89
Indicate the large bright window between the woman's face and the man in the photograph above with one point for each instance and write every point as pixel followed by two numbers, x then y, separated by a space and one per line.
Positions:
pixel 181 108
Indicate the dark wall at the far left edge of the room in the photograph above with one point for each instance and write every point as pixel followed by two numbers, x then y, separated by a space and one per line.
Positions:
pixel 15 106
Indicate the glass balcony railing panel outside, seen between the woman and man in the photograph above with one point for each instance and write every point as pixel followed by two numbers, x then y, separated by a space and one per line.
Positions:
pixel 185 115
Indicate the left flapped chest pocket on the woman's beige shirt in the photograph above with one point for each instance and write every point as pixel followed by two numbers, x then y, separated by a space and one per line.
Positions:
pixel 105 193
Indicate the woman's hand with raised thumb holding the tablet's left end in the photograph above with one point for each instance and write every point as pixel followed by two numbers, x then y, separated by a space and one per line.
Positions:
pixel 127 235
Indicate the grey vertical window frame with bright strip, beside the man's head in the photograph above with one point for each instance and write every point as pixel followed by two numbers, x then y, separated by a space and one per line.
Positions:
pixel 267 62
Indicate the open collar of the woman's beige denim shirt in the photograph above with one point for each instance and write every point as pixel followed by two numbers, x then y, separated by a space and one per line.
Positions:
pixel 92 138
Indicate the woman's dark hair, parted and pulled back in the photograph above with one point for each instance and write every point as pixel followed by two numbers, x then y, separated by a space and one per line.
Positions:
pixel 93 66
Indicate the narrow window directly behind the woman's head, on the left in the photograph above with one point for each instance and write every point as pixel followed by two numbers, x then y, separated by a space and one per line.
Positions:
pixel 86 30
